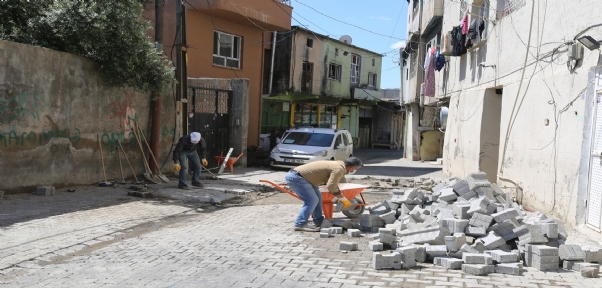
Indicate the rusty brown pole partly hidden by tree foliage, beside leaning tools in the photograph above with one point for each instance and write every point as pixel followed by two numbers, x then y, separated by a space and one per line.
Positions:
pixel 156 97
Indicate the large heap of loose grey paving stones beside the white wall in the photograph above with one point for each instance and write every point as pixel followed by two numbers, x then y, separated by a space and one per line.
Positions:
pixel 468 224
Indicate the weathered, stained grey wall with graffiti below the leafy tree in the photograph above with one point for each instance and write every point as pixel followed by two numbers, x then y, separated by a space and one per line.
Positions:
pixel 52 107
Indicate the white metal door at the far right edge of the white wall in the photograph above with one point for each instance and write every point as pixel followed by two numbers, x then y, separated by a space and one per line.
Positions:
pixel 594 201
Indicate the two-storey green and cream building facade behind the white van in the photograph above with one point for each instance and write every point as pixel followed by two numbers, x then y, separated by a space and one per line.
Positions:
pixel 321 82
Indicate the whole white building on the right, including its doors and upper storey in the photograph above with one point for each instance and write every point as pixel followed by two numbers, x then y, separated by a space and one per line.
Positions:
pixel 522 100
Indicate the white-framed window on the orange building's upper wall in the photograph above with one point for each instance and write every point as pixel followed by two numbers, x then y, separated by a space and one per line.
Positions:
pixel 226 49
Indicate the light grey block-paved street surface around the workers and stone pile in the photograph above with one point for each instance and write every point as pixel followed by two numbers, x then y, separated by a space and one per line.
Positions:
pixel 99 237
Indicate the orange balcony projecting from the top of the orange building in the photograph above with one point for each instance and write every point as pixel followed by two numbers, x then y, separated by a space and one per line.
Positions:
pixel 273 15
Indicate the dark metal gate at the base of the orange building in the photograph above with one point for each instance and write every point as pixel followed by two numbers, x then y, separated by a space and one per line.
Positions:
pixel 211 113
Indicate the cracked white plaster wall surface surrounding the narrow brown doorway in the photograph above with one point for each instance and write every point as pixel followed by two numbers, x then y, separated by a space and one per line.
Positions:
pixel 542 158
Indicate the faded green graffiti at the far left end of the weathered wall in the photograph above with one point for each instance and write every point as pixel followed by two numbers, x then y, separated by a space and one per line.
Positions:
pixel 22 107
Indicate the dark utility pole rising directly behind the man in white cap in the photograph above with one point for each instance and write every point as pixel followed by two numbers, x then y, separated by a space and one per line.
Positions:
pixel 181 73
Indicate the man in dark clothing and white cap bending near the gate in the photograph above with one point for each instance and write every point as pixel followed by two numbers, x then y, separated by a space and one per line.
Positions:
pixel 184 154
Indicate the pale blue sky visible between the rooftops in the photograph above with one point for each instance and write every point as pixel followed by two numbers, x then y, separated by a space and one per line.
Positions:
pixel 365 21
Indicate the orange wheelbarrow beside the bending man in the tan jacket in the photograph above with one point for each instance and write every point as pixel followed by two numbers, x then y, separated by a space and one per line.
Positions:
pixel 349 190
